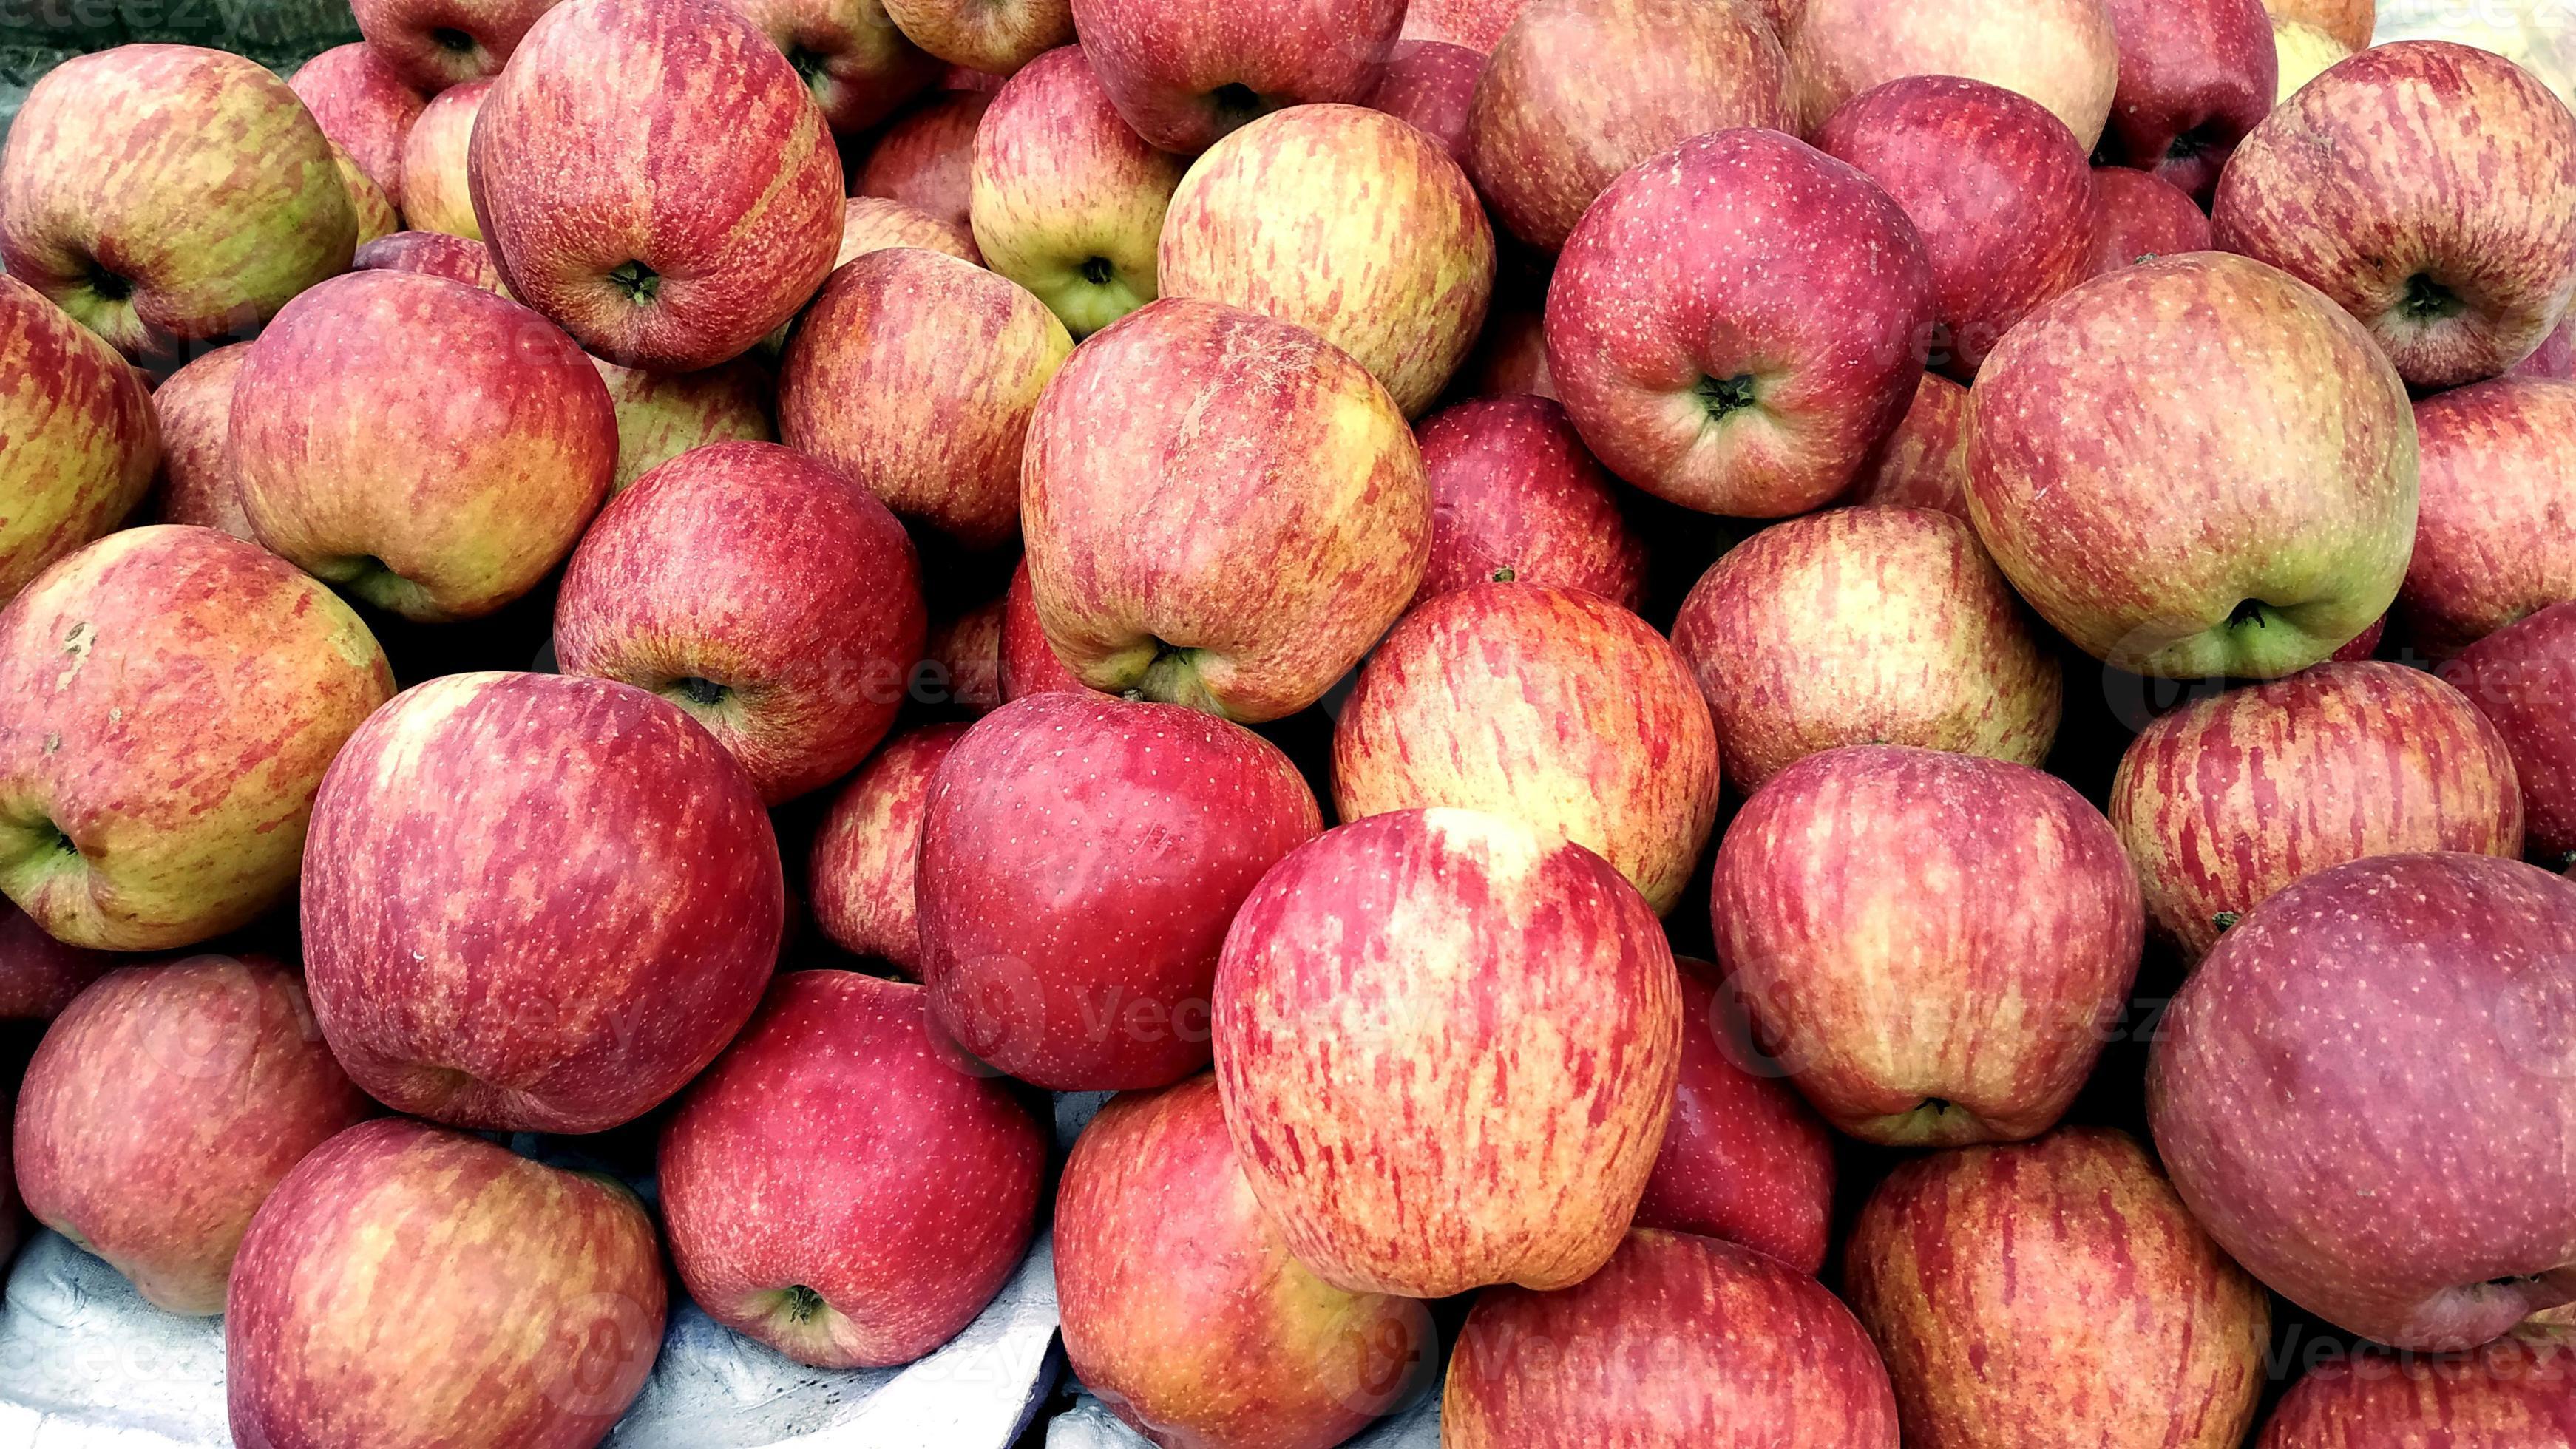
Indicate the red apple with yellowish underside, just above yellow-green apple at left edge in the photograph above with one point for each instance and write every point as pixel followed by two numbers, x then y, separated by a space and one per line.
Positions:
pixel 424 444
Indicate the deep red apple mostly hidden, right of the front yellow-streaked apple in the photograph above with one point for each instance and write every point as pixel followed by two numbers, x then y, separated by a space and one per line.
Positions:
pixel 1745 1157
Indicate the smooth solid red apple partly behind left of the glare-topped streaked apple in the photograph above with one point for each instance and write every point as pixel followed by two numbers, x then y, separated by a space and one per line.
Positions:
pixel 1078 871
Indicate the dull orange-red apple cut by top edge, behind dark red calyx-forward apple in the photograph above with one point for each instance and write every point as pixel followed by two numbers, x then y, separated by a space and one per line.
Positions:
pixel 1547 135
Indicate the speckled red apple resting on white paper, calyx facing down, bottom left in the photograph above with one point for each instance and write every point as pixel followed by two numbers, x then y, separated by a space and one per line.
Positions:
pixel 841 1149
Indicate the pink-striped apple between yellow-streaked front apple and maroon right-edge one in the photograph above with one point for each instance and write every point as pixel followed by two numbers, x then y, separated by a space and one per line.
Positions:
pixel 1931 943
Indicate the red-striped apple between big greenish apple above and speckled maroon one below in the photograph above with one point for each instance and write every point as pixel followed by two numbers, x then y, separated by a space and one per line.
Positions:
pixel 2230 799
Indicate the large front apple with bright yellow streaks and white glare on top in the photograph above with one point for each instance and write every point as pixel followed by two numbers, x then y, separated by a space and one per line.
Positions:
pixel 1446 1046
